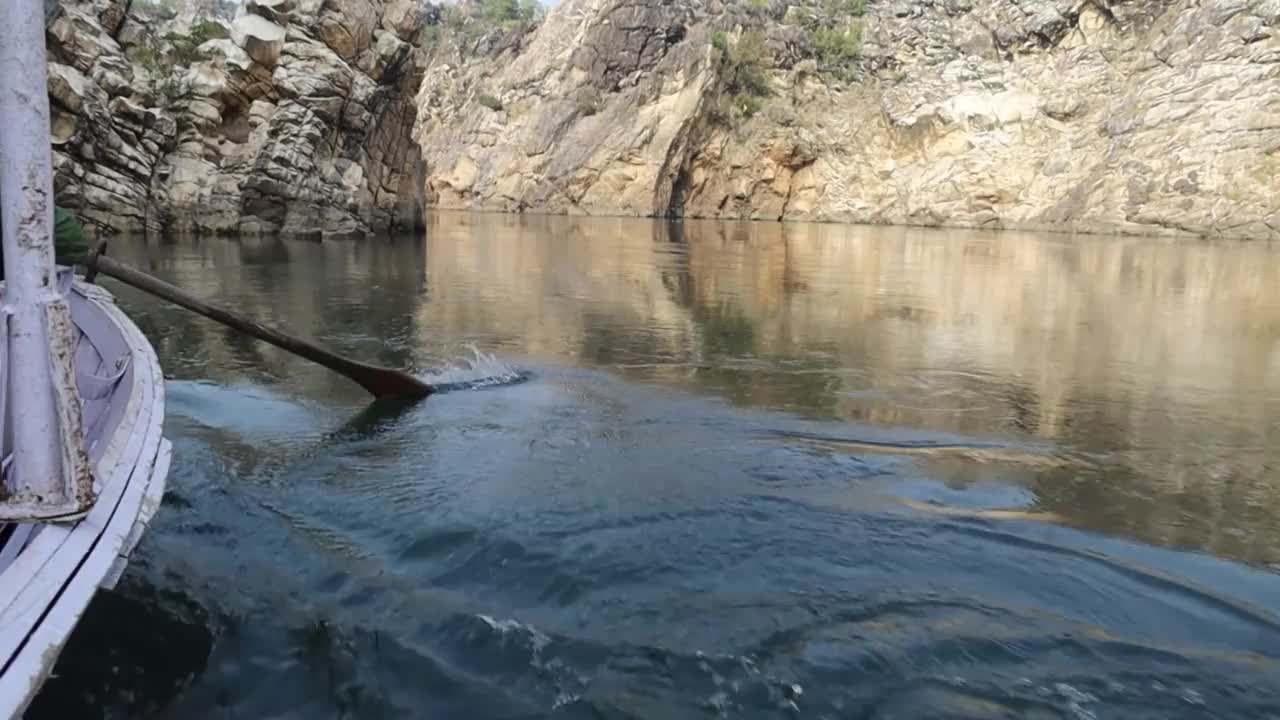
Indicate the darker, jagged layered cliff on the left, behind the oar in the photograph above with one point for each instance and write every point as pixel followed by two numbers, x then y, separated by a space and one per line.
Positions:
pixel 296 117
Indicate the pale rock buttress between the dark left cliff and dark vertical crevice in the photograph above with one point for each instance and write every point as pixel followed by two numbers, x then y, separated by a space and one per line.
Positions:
pixel 596 112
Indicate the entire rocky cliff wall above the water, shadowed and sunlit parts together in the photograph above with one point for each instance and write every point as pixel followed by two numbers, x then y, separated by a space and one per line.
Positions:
pixel 324 117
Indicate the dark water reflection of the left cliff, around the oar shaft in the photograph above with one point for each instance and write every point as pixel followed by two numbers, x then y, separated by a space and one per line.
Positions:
pixel 353 297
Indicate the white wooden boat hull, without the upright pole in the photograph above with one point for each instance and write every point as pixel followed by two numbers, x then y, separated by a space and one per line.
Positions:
pixel 49 572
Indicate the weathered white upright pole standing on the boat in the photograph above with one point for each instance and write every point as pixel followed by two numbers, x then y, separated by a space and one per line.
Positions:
pixel 39 344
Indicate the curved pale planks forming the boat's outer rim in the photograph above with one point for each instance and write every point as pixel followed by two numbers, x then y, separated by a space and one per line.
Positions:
pixel 61 571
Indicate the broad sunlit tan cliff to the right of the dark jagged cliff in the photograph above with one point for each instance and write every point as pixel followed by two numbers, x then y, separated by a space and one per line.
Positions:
pixel 1140 116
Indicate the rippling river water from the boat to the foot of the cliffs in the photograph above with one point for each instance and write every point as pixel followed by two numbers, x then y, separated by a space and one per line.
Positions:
pixel 708 471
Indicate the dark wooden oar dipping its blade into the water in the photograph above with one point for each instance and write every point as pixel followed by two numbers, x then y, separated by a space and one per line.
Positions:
pixel 382 382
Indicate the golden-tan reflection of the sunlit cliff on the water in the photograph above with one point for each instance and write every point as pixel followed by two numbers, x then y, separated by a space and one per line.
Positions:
pixel 1153 361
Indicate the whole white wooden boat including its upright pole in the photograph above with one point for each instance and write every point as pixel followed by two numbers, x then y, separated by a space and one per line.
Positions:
pixel 83 459
